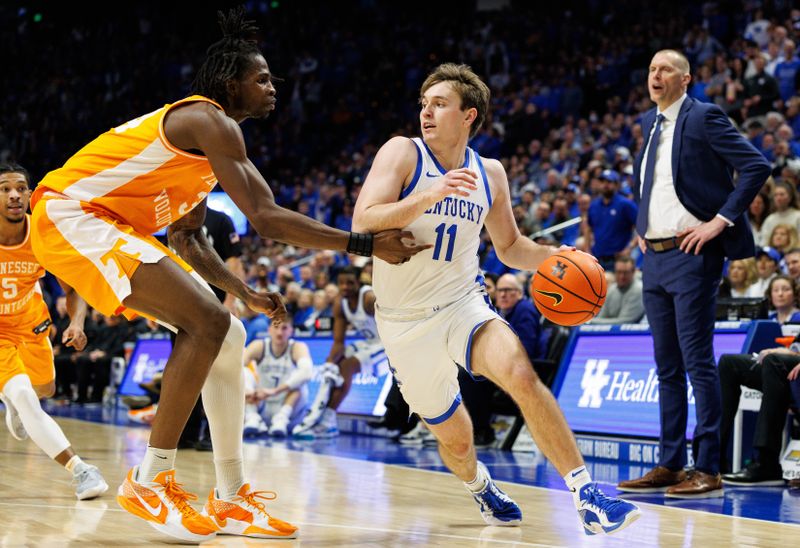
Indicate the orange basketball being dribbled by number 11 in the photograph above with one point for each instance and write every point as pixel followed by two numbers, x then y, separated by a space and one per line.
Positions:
pixel 569 288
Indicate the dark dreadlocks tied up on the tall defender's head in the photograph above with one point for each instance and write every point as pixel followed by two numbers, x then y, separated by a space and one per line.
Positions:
pixel 229 58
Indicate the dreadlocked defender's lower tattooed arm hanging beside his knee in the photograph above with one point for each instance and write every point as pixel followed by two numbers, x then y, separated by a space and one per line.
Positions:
pixel 187 239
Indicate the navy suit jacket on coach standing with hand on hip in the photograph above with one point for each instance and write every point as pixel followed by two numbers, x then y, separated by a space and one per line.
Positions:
pixel 706 149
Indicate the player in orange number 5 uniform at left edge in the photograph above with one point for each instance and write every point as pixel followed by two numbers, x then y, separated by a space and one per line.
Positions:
pixel 27 372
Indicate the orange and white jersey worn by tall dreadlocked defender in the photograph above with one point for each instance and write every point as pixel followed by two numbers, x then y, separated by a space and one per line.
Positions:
pixel 134 174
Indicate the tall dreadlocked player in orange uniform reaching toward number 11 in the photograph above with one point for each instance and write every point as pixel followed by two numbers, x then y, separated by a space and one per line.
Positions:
pixel 92 221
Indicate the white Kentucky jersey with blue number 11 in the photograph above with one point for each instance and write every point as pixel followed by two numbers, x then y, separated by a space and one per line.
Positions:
pixel 450 269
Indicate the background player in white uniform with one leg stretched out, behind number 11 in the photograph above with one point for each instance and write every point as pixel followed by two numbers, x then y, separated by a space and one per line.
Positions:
pixel 356 308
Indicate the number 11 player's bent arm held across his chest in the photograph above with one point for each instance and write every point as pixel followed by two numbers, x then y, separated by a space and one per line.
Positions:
pixel 378 206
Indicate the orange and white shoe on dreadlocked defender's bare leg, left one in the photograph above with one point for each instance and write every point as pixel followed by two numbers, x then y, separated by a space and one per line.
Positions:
pixel 165 505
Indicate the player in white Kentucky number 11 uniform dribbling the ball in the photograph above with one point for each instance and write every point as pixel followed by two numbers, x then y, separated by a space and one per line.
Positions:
pixel 433 313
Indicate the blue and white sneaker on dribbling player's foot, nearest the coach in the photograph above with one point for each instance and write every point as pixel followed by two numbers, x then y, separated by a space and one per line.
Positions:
pixel 602 514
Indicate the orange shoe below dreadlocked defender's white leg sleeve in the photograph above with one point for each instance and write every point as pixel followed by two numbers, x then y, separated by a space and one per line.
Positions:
pixel 246 516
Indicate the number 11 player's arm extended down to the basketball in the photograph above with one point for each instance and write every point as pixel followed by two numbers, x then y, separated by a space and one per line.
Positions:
pixel 512 248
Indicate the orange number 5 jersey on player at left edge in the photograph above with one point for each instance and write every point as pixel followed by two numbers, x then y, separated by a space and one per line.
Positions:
pixel 20 294
